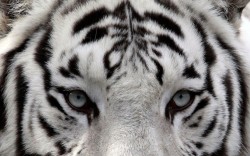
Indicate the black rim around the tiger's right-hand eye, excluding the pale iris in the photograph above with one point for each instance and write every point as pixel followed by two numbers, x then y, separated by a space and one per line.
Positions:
pixel 172 108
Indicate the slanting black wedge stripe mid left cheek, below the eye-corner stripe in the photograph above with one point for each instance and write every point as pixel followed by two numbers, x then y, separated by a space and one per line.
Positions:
pixel 47 127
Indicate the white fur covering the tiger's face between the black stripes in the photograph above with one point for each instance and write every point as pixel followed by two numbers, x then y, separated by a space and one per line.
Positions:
pixel 132 118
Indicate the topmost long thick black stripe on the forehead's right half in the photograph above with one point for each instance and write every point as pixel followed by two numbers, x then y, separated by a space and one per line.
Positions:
pixel 165 22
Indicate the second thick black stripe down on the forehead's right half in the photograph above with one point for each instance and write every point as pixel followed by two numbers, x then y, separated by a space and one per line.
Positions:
pixel 169 42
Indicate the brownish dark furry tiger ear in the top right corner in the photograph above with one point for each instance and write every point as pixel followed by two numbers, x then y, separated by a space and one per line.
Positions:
pixel 231 10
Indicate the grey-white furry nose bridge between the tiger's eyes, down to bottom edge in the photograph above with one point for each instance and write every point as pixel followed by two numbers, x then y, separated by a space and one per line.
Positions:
pixel 132 124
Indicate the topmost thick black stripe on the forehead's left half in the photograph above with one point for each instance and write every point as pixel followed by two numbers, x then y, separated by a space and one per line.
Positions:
pixel 90 19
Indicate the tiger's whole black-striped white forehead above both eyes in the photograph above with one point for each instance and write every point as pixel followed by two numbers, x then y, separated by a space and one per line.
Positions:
pixel 129 39
